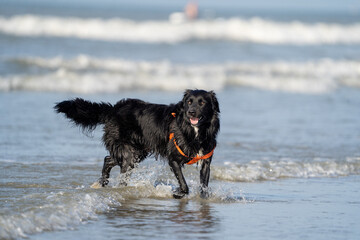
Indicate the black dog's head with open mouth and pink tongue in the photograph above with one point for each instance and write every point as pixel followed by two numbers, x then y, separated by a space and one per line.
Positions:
pixel 200 106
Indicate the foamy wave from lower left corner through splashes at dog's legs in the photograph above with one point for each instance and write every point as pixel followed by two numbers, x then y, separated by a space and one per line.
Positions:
pixel 70 207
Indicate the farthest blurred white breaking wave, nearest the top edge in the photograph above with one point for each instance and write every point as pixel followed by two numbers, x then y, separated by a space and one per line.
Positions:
pixel 255 30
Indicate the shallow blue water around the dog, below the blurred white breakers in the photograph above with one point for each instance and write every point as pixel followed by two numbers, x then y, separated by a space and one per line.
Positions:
pixel 264 185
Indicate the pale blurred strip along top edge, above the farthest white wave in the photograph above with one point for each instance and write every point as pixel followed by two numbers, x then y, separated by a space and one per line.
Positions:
pixel 351 7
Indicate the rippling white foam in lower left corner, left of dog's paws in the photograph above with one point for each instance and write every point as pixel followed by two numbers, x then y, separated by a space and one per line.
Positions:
pixel 63 211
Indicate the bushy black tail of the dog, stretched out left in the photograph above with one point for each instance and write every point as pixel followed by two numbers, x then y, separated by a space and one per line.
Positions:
pixel 84 113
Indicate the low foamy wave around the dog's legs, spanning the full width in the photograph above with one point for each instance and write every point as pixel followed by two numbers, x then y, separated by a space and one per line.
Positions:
pixel 70 207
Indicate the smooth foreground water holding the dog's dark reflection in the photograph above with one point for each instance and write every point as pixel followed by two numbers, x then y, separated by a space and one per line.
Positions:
pixel 301 209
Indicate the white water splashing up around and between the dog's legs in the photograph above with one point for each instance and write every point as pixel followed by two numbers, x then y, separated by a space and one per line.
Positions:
pixel 157 181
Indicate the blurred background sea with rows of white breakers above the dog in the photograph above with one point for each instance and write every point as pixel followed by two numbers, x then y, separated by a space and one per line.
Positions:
pixel 107 46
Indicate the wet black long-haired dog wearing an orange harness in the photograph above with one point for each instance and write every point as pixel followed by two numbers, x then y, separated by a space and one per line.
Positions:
pixel 183 133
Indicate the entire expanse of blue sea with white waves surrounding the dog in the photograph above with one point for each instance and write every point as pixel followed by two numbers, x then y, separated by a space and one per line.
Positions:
pixel 287 77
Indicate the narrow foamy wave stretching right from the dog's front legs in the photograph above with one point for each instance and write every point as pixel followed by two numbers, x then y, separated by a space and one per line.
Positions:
pixel 274 170
